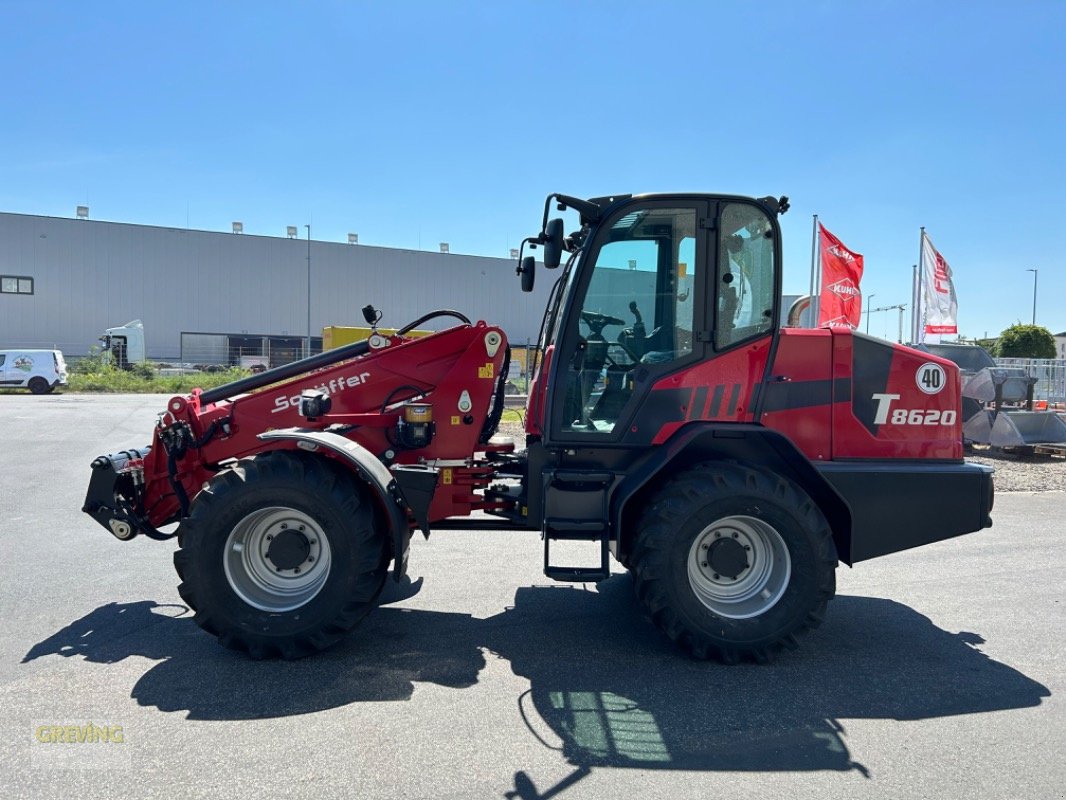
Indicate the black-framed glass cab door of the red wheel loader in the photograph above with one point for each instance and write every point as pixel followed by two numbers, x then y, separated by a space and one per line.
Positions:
pixel 638 312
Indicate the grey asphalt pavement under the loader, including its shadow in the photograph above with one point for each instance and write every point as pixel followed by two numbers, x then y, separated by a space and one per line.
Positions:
pixel 939 673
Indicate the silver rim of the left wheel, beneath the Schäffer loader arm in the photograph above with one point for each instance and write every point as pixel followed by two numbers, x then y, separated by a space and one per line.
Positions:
pixel 260 582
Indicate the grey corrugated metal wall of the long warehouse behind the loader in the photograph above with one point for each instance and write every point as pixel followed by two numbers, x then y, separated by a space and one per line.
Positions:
pixel 90 276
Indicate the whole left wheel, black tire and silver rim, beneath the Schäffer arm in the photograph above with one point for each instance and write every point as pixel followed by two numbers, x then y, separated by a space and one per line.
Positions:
pixel 241 507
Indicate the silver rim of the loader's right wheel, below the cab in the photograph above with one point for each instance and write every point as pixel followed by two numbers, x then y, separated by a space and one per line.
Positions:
pixel 758 586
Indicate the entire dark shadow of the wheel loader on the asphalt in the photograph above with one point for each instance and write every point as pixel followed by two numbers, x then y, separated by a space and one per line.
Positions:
pixel 606 690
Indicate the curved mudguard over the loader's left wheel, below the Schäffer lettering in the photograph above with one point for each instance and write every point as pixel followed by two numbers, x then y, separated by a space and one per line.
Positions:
pixel 372 471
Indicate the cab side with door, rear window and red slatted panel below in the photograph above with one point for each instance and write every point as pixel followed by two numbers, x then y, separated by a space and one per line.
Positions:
pixel 671 322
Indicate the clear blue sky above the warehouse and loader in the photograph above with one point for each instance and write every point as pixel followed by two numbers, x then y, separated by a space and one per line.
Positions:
pixel 416 123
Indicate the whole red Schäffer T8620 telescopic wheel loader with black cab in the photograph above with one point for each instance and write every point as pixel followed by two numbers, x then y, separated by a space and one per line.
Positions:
pixel 728 462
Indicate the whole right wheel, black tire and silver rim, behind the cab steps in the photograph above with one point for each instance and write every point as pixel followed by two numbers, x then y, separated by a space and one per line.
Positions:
pixel 763 603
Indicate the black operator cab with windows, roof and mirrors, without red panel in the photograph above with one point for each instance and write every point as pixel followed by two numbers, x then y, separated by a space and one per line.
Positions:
pixel 653 285
